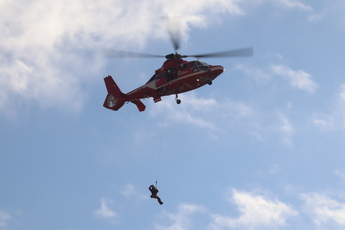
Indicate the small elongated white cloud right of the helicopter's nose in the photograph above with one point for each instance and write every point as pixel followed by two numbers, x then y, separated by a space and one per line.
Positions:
pixel 297 79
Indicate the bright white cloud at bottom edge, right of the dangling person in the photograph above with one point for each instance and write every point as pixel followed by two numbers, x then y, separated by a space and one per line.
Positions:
pixel 256 211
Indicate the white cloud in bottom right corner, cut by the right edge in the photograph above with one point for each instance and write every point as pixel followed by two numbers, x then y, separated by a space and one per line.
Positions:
pixel 323 209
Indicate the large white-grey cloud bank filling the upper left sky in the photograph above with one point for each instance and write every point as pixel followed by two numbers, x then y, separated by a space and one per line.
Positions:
pixel 45 46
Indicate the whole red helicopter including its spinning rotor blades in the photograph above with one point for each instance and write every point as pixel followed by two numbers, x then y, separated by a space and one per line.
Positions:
pixel 176 76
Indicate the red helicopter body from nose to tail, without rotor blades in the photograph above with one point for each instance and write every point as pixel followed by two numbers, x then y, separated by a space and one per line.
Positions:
pixel 176 76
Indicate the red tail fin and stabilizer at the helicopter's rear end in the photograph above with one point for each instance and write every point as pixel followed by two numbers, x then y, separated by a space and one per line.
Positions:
pixel 116 99
